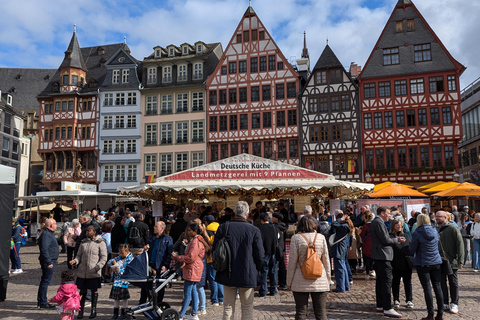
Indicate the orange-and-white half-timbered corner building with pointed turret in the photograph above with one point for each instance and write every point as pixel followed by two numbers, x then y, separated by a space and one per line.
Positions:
pixel 69 111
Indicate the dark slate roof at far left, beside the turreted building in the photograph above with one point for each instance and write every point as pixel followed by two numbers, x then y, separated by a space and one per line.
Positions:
pixel 24 85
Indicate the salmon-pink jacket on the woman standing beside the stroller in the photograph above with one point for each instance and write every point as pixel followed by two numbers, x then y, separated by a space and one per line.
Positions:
pixel 192 271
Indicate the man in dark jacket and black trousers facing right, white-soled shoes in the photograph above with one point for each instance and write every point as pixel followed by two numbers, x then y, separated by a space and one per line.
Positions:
pixel 382 255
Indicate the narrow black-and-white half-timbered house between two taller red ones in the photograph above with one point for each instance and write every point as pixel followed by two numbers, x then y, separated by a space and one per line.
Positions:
pixel 330 135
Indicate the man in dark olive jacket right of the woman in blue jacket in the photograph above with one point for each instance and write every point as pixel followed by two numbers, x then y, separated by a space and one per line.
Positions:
pixel 452 243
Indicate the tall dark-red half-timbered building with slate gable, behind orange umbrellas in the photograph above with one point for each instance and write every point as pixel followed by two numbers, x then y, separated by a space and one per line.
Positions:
pixel 410 103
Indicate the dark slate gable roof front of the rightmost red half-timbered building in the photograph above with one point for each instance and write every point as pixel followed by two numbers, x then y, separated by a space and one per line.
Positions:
pixel 405 41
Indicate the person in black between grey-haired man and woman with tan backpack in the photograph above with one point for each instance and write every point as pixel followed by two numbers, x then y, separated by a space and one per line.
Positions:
pixel 269 266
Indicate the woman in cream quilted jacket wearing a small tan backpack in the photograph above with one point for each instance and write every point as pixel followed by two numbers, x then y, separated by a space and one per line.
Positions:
pixel 305 285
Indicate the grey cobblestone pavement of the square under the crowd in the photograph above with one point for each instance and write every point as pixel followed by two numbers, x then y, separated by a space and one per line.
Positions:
pixel 359 303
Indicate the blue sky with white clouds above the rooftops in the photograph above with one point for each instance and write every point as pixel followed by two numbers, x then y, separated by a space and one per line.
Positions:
pixel 35 33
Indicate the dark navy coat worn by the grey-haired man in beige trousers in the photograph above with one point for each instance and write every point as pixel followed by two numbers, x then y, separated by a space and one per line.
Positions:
pixel 247 254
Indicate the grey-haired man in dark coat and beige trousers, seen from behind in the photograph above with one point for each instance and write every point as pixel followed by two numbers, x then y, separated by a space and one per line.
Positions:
pixel 247 255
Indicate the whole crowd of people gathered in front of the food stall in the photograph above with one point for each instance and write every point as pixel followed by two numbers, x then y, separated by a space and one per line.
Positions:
pixel 383 244
